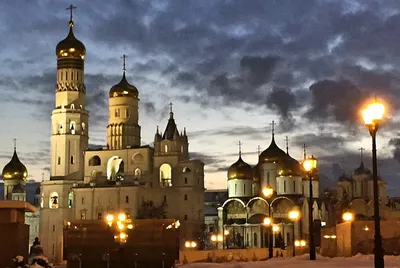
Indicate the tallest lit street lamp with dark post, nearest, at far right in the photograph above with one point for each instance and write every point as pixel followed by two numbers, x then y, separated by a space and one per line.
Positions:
pixel 372 116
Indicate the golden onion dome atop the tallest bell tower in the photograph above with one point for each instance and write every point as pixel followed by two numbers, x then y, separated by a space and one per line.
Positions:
pixel 70 47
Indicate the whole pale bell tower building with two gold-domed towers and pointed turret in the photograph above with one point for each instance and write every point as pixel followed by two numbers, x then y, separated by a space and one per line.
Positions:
pixel 87 184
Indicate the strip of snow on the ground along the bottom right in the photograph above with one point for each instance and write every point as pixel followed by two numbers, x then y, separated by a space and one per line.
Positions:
pixel 358 261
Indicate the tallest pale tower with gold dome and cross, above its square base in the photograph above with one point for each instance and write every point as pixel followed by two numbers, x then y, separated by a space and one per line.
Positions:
pixel 69 119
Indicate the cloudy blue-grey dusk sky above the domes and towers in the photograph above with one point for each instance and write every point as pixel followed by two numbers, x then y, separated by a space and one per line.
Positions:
pixel 229 67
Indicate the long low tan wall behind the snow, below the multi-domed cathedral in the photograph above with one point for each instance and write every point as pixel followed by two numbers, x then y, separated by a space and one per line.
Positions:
pixel 228 255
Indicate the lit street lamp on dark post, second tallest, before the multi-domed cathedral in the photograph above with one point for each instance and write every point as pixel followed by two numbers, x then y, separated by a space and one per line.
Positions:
pixel 310 166
